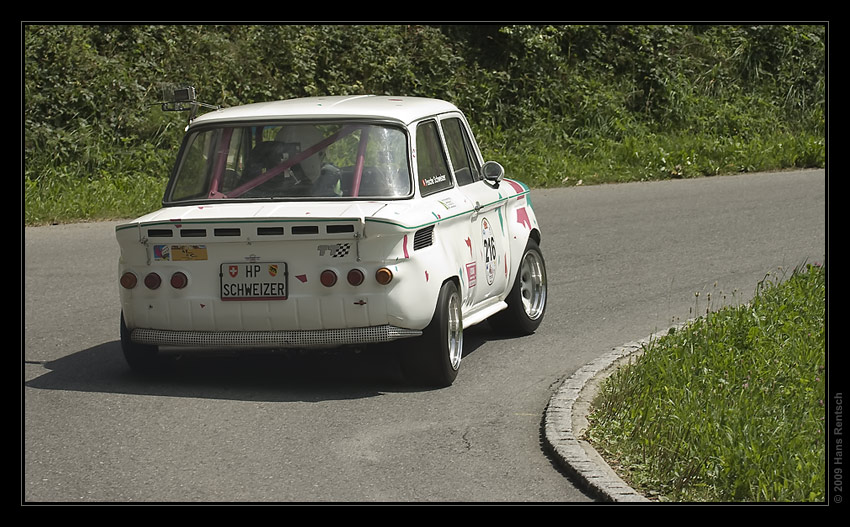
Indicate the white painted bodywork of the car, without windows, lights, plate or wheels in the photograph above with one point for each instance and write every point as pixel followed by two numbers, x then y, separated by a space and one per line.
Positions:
pixel 477 236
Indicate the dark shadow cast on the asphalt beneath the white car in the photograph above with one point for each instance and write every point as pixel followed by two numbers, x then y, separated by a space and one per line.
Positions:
pixel 312 376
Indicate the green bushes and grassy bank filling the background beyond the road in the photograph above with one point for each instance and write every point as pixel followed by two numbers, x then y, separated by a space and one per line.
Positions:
pixel 558 104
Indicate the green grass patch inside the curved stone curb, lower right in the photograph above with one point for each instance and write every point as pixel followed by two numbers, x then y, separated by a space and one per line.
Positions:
pixel 730 408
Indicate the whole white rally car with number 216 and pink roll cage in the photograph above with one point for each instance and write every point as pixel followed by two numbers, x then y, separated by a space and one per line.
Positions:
pixel 328 222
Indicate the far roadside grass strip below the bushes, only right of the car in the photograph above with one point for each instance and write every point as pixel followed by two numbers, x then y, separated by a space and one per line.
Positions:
pixel 550 158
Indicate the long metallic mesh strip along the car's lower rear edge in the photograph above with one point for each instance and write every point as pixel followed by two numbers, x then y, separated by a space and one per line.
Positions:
pixel 272 339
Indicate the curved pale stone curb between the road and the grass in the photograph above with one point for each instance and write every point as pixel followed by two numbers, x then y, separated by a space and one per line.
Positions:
pixel 565 421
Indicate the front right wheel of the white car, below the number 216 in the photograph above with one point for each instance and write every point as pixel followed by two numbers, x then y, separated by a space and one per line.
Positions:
pixel 527 299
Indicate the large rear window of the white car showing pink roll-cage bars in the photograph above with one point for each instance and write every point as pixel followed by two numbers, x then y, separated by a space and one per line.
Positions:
pixel 284 160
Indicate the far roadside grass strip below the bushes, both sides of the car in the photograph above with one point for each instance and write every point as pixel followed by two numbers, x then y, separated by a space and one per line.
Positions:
pixel 130 183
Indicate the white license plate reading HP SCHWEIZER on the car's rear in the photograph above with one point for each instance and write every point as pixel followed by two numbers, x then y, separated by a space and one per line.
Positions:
pixel 253 281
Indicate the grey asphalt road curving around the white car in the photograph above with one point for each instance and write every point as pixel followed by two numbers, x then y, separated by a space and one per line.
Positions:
pixel 623 261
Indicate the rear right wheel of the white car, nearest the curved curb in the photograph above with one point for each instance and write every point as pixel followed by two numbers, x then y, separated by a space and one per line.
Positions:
pixel 435 358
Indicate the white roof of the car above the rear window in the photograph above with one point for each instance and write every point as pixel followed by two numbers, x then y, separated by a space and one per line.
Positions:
pixel 403 109
